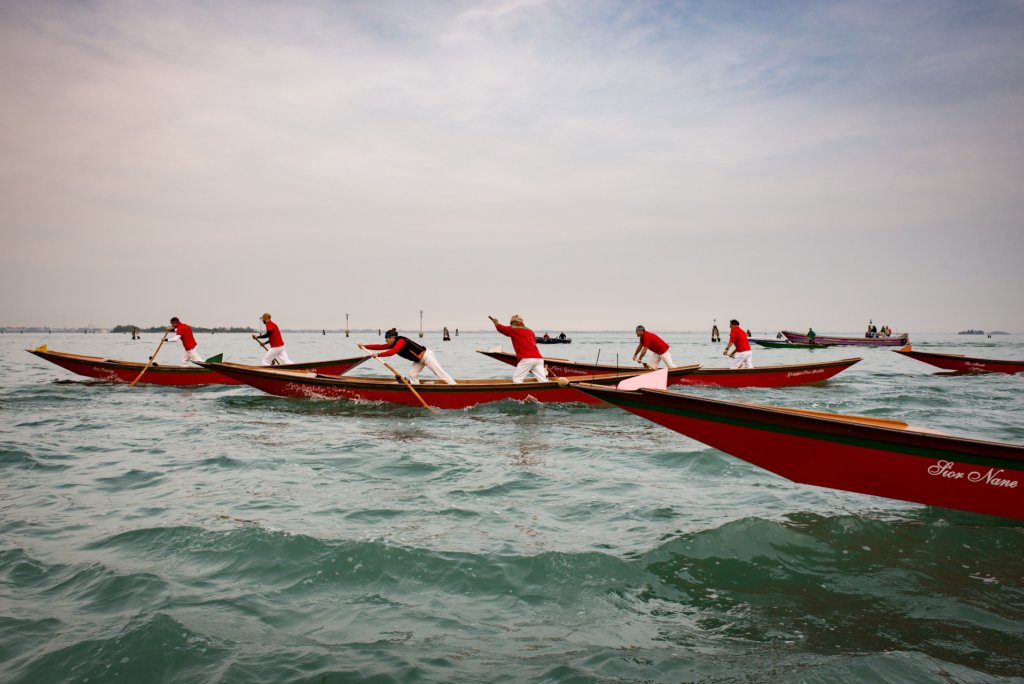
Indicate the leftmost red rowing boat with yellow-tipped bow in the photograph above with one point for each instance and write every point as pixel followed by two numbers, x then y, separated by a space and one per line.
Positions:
pixel 118 371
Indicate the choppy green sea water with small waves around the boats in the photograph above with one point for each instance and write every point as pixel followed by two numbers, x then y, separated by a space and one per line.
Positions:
pixel 220 535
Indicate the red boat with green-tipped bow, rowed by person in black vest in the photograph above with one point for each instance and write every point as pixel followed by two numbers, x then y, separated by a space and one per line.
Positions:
pixel 436 394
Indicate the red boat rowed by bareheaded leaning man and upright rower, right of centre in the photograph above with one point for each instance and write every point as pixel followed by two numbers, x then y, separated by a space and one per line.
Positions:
pixel 766 376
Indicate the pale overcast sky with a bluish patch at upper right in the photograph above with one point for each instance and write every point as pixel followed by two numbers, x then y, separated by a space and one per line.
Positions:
pixel 588 164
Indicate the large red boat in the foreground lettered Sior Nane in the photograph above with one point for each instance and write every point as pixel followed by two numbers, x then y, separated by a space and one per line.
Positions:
pixel 855 454
